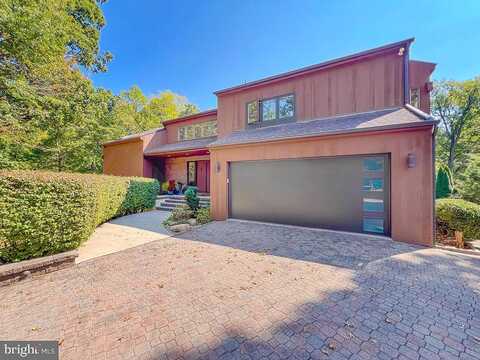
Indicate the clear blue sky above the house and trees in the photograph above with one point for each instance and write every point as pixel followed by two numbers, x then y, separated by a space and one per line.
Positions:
pixel 197 47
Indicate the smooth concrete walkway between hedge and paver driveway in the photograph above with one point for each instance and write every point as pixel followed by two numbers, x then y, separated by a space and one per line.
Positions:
pixel 123 233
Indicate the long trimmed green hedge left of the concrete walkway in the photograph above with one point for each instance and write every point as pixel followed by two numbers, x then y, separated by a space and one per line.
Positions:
pixel 44 213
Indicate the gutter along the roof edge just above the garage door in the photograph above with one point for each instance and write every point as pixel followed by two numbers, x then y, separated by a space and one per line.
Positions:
pixel 330 133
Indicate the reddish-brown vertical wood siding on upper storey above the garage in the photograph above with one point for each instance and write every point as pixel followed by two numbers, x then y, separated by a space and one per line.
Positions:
pixel 370 84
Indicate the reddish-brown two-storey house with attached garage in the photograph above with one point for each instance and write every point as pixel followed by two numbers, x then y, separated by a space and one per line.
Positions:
pixel 346 144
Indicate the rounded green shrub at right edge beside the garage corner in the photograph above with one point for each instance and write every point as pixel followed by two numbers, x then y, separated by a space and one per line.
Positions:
pixel 458 215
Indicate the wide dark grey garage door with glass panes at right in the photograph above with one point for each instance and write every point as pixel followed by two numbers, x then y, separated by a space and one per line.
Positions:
pixel 348 193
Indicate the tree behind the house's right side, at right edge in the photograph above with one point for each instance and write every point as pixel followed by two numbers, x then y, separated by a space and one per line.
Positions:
pixel 457 106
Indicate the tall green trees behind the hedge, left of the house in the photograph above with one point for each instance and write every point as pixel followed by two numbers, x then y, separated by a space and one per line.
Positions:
pixel 51 116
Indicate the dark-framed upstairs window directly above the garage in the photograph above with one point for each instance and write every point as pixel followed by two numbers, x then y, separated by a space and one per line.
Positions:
pixel 280 108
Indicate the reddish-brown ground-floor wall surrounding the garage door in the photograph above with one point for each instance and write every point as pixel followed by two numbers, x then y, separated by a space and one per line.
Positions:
pixel 411 188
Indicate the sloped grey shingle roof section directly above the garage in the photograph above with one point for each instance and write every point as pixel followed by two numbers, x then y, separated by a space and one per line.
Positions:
pixel 400 117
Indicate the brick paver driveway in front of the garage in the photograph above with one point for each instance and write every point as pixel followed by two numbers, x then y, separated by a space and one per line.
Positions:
pixel 237 290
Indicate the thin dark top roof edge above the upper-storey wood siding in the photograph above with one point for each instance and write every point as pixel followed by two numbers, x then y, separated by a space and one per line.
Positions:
pixel 305 70
